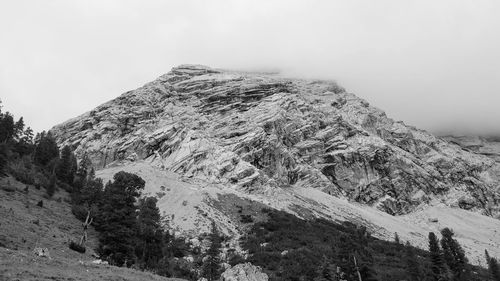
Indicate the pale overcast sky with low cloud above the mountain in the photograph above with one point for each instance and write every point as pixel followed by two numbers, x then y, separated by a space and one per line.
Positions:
pixel 433 64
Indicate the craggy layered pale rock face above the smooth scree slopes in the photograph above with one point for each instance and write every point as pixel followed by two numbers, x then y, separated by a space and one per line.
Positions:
pixel 257 133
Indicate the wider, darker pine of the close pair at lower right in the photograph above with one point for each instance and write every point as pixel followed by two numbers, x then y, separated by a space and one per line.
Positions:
pixel 454 256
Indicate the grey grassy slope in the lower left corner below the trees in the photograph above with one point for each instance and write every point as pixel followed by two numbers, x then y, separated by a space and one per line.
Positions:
pixel 24 226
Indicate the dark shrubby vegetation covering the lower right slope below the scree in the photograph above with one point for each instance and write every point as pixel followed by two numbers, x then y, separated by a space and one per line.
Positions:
pixel 289 248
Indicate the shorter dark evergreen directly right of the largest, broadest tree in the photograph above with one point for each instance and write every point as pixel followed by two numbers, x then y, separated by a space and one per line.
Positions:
pixel 149 234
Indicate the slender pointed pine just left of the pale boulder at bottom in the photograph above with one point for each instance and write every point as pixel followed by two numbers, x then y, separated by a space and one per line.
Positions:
pixel 211 265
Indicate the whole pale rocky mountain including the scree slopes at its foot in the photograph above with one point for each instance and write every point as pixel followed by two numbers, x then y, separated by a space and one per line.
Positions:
pixel 211 143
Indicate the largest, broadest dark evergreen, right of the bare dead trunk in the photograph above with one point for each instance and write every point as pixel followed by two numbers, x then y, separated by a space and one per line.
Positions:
pixel 117 218
